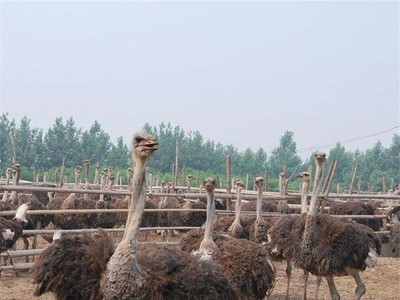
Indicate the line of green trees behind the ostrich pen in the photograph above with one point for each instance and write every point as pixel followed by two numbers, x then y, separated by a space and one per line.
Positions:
pixel 39 150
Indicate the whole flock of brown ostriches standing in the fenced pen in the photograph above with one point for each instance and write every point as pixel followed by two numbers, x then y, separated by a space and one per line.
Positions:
pixel 226 257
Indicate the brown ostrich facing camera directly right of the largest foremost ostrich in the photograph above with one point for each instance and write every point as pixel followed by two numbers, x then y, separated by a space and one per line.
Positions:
pixel 245 263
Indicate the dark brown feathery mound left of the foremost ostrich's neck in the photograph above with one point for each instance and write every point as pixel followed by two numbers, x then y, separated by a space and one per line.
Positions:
pixel 72 266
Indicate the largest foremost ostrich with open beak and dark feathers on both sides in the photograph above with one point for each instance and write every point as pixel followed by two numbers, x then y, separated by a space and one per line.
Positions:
pixel 81 267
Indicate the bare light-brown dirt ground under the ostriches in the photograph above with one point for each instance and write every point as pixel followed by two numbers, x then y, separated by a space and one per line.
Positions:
pixel 382 283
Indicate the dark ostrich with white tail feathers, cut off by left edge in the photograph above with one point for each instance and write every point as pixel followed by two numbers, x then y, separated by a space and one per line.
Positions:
pixel 11 230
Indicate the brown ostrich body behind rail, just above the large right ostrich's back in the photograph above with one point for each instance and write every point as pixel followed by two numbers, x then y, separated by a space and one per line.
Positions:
pixel 357 208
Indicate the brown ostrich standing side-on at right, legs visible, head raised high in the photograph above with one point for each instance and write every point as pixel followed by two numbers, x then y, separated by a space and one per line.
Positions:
pixel 326 246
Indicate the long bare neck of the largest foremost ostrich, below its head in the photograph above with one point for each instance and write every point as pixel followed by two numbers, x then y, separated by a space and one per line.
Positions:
pixel 136 207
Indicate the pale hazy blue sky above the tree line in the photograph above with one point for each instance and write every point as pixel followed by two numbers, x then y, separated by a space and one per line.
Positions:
pixel 238 72
